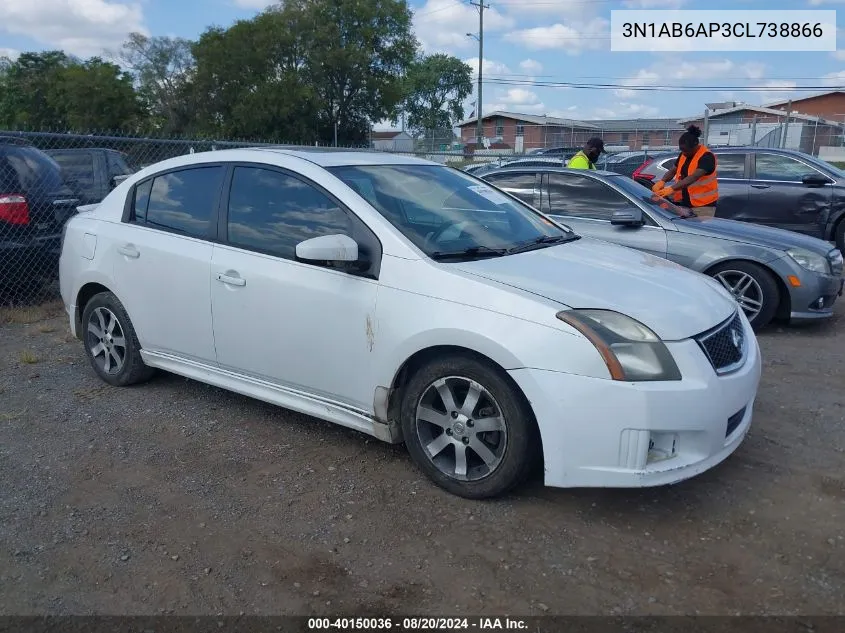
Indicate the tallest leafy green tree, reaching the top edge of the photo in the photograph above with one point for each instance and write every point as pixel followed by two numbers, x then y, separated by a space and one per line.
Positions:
pixel 357 56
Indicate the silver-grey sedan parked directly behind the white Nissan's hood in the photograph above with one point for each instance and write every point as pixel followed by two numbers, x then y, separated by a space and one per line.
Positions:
pixel 771 272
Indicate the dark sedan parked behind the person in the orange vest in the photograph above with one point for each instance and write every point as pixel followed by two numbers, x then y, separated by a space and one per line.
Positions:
pixel 774 187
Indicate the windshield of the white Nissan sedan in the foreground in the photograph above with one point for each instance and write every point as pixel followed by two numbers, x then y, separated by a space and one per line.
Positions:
pixel 447 213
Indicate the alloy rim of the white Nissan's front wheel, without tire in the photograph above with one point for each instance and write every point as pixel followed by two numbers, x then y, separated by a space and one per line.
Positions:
pixel 461 428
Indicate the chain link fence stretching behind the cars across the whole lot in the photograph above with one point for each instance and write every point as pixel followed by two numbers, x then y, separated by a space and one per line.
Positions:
pixel 45 176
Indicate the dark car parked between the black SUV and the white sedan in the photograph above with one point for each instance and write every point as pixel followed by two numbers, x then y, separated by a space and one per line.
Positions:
pixel 95 171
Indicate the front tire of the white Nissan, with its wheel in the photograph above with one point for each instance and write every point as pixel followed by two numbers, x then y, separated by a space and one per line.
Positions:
pixel 509 452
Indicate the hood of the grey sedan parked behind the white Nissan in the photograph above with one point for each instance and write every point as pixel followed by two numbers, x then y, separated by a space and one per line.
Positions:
pixel 748 233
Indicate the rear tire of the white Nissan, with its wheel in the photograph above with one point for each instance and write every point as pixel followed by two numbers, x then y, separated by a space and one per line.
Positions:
pixel 104 320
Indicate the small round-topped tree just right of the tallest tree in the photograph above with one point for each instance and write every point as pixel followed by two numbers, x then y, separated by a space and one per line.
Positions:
pixel 436 87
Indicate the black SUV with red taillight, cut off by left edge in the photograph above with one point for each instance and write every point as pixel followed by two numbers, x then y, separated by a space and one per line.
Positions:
pixel 35 202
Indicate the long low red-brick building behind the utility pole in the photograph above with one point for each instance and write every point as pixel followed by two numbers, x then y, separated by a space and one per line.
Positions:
pixel 524 132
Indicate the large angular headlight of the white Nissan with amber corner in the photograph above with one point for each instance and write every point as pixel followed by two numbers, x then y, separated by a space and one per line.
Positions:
pixel 631 351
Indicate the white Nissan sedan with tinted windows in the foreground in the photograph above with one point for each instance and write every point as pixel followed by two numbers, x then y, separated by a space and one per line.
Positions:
pixel 417 304
